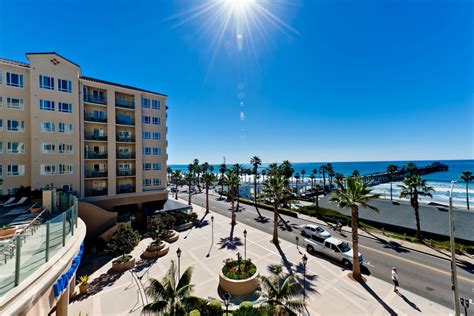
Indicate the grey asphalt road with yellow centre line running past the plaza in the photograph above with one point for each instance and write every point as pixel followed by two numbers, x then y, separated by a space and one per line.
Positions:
pixel 423 274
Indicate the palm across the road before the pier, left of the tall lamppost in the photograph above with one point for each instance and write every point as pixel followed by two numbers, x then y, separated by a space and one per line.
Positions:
pixel 413 187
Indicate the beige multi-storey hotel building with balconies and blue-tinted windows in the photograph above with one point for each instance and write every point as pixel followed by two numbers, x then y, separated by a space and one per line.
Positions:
pixel 96 147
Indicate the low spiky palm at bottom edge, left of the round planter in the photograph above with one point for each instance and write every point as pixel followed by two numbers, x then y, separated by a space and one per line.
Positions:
pixel 171 296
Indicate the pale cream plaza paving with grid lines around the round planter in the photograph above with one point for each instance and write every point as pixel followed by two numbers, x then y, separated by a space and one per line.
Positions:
pixel 329 290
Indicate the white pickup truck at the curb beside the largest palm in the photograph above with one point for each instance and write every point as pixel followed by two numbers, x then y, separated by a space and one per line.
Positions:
pixel 333 248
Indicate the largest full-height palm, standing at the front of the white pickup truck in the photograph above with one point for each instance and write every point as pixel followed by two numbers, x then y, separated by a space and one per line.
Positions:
pixel 352 195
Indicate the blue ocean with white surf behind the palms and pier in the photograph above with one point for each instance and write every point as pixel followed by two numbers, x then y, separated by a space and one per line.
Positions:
pixel 440 181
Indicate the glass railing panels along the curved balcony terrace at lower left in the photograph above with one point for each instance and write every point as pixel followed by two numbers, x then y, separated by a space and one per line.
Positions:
pixel 40 239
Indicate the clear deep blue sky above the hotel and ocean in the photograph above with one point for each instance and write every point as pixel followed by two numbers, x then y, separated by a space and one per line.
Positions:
pixel 350 81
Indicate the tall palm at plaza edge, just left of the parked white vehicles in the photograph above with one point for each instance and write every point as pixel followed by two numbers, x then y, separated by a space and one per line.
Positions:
pixel 276 190
